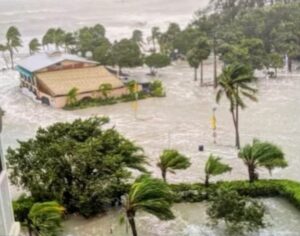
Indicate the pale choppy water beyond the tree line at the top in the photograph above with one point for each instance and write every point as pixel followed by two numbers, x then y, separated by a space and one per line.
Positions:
pixel 120 17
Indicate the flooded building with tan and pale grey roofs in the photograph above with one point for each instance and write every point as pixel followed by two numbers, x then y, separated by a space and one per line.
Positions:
pixel 51 76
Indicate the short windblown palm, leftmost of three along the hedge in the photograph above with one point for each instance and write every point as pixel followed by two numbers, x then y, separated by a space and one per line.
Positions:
pixel 172 160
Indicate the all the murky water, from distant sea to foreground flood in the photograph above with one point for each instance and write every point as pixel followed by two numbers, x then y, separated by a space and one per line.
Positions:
pixel 180 121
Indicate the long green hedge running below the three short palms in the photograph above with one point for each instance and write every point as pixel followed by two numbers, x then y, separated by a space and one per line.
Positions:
pixel 288 189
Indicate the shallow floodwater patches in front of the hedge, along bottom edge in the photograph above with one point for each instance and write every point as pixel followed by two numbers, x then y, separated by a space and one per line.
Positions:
pixel 191 220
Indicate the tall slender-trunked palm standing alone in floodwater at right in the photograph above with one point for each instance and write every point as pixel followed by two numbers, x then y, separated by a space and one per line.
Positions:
pixel 234 83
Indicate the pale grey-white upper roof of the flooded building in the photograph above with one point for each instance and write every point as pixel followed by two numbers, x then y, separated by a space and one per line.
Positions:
pixel 42 60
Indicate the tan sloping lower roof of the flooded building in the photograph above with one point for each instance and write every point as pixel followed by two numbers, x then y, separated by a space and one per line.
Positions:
pixel 59 83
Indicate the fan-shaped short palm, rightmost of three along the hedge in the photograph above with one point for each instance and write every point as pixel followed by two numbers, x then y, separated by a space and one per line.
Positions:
pixel 261 154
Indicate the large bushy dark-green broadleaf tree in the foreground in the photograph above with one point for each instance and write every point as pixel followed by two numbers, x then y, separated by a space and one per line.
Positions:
pixel 80 164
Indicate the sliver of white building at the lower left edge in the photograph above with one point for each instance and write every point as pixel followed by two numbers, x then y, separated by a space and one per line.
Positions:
pixel 8 226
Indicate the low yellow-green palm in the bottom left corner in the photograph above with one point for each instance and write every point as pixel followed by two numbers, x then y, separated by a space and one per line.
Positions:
pixel 46 218
